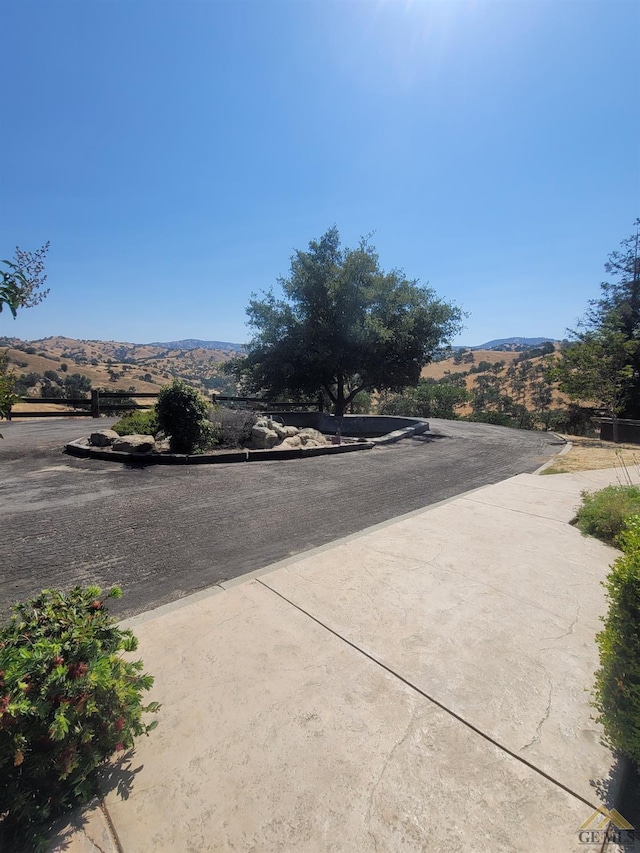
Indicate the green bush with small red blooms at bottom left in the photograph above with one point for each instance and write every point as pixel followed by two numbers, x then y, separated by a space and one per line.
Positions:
pixel 68 701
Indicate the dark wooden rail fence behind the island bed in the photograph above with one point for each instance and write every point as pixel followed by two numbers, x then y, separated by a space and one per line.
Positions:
pixel 94 406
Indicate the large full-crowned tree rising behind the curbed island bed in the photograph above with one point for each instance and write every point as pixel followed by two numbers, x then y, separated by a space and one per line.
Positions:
pixel 342 326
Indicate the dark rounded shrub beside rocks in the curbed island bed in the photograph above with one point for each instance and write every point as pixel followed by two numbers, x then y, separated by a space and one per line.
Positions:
pixel 182 414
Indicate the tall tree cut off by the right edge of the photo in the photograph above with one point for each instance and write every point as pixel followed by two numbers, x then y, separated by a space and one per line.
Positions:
pixel 602 363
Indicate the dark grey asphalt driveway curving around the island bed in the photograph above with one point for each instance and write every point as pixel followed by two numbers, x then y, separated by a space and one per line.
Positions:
pixel 164 532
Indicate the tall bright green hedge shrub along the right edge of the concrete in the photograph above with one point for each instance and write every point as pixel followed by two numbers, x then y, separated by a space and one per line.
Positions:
pixel 617 687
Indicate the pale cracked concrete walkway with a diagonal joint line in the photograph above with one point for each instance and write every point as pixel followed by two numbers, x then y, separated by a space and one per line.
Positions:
pixel 420 686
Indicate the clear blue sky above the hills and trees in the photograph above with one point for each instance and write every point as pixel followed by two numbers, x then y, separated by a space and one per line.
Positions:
pixel 176 153
